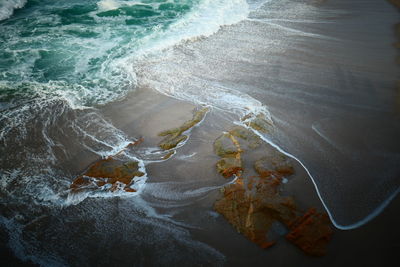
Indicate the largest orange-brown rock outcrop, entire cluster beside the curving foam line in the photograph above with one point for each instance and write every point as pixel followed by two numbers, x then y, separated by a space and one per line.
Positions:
pixel 254 203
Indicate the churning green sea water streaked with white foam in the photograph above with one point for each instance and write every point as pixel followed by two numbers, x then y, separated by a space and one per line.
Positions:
pixel 79 49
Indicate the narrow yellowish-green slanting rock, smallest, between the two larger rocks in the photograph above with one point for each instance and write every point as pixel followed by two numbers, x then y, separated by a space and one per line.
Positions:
pixel 175 136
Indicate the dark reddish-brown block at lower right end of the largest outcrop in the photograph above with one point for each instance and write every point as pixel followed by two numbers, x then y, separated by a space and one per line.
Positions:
pixel 311 232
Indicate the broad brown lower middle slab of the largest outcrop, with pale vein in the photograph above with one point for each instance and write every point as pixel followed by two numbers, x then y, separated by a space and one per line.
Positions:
pixel 253 206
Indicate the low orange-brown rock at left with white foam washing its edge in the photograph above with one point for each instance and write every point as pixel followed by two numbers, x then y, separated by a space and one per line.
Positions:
pixel 109 173
